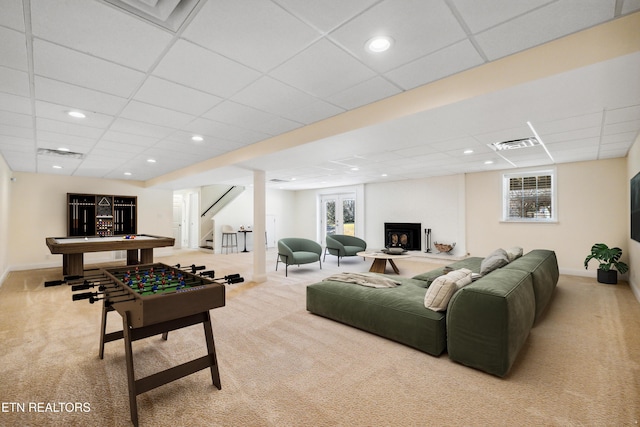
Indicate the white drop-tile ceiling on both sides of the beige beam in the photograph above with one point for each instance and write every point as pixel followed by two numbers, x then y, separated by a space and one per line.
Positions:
pixel 237 72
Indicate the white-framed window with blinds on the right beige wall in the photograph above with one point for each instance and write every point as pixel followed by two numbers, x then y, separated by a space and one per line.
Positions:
pixel 530 196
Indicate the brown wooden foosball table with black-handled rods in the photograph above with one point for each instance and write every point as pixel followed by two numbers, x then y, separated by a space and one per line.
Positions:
pixel 156 299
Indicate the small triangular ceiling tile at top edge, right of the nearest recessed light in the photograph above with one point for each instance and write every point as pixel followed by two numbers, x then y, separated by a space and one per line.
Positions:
pixel 478 17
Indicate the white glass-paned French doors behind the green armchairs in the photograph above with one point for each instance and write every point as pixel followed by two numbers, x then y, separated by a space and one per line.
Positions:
pixel 338 214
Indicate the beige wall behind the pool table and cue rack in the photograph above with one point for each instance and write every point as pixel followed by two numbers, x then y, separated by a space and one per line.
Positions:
pixel 37 210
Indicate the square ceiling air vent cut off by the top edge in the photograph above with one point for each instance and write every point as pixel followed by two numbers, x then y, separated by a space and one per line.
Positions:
pixel 169 14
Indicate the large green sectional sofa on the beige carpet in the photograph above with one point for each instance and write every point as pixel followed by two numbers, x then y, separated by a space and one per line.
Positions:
pixel 485 323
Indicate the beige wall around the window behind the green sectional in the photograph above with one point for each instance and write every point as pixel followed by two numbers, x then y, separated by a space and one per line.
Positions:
pixel 592 207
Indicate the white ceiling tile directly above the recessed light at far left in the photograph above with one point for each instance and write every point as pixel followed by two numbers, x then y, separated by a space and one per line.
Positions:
pixel 77 97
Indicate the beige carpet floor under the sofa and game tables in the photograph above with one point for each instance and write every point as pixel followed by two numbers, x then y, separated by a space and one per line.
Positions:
pixel 282 366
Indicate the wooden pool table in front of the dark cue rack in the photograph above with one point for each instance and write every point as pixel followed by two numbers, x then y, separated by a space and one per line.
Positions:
pixel 74 248
